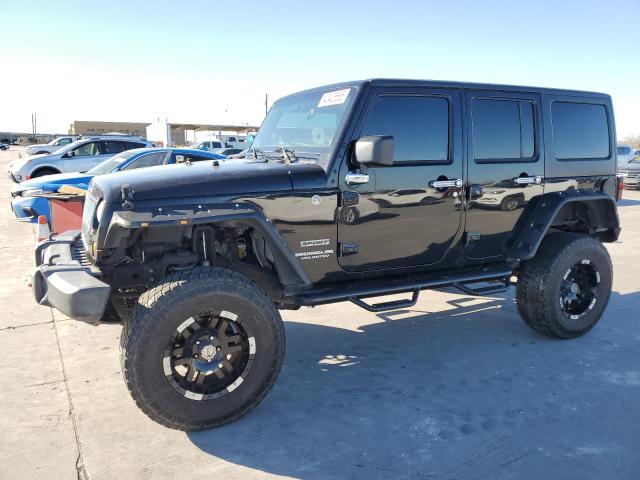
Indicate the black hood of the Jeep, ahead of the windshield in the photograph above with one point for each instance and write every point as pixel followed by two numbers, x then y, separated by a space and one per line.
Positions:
pixel 203 179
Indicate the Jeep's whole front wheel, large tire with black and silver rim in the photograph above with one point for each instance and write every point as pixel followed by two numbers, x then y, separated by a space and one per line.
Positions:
pixel 202 349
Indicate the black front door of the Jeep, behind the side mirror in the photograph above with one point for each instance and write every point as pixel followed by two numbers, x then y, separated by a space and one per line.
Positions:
pixel 400 216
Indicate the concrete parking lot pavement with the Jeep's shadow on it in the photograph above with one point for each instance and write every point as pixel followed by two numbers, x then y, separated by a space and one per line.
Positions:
pixel 454 388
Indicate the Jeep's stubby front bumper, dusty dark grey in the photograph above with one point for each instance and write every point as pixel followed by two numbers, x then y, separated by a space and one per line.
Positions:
pixel 66 281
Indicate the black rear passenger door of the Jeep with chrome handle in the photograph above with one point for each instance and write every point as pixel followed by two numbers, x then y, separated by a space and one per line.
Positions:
pixel 505 167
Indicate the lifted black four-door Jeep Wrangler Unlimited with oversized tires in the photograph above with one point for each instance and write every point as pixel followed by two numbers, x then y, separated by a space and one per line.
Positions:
pixel 348 192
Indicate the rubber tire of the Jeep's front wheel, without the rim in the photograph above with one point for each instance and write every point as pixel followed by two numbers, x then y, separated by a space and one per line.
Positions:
pixel 162 309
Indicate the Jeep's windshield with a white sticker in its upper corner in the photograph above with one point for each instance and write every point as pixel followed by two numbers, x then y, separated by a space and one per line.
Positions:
pixel 305 123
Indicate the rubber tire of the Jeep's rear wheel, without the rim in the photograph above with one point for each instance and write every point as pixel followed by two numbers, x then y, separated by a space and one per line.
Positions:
pixel 540 280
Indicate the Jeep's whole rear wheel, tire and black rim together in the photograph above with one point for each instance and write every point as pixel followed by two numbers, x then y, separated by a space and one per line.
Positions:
pixel 563 291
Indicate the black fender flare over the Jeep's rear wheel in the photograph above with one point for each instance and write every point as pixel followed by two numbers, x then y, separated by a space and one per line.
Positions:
pixel 544 211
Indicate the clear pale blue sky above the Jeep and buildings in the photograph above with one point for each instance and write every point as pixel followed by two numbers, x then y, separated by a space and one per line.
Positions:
pixel 213 62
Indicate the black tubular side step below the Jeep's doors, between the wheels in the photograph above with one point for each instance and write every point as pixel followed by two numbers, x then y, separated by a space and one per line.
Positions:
pixel 339 292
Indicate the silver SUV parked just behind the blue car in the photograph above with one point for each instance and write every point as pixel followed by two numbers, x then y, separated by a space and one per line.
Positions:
pixel 77 156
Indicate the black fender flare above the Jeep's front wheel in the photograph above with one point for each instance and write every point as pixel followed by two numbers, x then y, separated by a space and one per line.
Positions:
pixel 287 266
